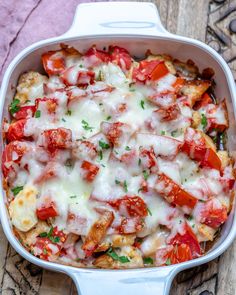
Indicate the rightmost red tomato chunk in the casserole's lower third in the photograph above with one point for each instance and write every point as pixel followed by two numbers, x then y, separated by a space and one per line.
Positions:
pixel 213 213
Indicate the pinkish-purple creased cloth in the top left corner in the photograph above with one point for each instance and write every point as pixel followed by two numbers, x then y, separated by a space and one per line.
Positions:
pixel 25 22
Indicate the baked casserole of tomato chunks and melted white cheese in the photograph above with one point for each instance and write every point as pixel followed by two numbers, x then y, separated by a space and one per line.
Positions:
pixel 111 161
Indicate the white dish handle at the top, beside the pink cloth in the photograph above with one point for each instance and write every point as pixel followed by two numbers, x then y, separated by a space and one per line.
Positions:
pixel 108 18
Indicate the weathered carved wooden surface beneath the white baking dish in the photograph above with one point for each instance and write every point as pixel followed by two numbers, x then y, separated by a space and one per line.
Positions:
pixel 208 21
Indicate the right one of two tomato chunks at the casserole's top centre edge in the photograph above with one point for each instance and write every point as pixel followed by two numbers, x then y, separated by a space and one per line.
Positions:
pixel 120 56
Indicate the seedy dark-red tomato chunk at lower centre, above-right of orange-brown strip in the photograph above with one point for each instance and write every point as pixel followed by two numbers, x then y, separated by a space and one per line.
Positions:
pixel 134 206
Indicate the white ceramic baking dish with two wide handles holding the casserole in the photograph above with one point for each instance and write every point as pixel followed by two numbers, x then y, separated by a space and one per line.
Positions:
pixel 137 27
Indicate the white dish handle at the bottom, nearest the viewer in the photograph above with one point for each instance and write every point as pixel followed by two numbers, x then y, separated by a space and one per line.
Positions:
pixel 101 282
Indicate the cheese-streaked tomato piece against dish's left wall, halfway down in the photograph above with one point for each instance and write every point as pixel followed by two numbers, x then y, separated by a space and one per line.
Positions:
pixel 12 153
